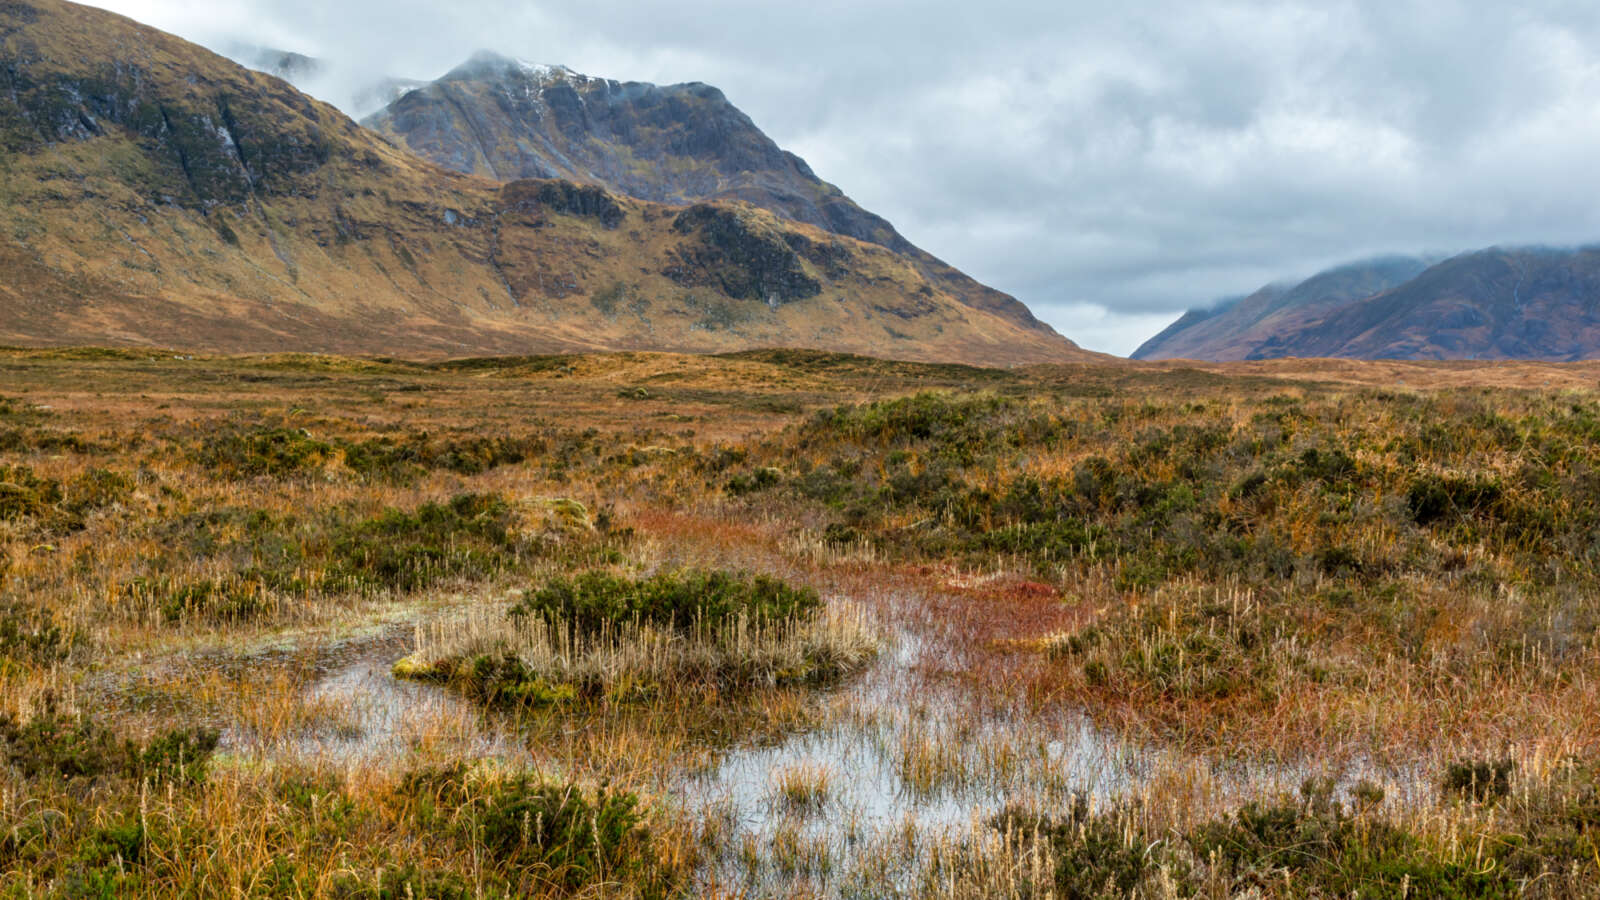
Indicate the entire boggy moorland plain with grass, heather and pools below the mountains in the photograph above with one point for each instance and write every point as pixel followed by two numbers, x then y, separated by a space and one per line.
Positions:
pixel 796 625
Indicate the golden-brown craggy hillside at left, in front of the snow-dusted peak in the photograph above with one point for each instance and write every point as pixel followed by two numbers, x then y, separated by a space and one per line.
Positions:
pixel 159 195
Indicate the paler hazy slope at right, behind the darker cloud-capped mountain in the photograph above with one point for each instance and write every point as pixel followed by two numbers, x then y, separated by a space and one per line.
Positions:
pixel 1238 329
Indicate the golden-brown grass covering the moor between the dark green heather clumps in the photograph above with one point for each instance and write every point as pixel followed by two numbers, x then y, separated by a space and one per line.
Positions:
pixel 970 699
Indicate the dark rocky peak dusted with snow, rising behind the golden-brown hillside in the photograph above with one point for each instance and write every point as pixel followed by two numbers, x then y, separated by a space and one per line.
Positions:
pixel 505 119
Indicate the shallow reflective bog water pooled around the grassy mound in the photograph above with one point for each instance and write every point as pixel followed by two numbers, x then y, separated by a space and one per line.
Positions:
pixel 906 765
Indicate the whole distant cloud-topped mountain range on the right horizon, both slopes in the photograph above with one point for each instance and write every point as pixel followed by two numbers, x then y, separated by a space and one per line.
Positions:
pixel 1526 303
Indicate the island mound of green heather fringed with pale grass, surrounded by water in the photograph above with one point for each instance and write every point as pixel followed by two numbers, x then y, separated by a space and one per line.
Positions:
pixel 607 638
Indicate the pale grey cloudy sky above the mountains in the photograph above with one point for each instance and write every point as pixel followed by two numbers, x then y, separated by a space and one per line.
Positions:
pixel 1110 164
